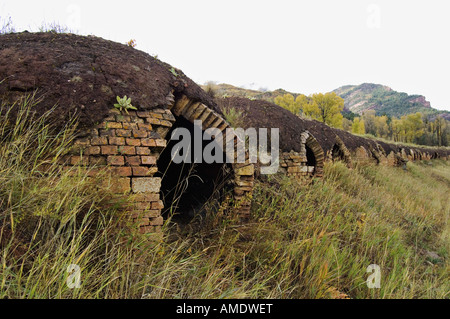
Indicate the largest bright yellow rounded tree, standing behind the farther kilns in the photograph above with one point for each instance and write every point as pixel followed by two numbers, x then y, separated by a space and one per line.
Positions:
pixel 325 108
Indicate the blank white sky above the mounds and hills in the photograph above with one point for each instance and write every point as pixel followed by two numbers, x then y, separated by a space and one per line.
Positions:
pixel 301 46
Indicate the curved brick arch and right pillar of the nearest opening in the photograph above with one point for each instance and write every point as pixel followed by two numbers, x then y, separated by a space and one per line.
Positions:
pixel 243 172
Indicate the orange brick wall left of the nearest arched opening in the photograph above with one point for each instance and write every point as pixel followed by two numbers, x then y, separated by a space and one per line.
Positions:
pixel 128 145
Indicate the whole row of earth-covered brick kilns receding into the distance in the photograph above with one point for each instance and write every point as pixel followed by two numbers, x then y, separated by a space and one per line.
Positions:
pixel 82 76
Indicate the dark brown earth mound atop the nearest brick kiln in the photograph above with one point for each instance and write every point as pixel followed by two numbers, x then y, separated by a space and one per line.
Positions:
pixel 84 75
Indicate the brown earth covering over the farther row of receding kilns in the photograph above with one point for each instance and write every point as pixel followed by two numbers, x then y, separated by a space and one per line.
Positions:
pixel 260 113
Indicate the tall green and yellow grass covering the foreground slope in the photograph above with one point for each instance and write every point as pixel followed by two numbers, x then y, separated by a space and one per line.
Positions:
pixel 312 241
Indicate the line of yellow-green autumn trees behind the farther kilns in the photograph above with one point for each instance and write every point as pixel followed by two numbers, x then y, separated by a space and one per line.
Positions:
pixel 328 108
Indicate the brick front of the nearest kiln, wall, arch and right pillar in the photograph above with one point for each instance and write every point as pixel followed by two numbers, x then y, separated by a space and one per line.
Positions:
pixel 128 145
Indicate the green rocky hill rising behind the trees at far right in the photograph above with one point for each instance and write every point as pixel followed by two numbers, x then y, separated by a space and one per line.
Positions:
pixel 384 100
